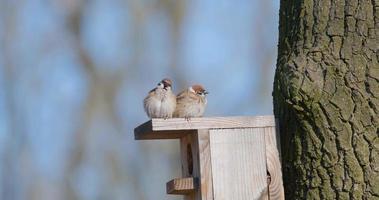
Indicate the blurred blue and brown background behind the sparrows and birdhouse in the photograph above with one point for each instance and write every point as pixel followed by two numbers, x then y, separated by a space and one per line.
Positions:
pixel 73 75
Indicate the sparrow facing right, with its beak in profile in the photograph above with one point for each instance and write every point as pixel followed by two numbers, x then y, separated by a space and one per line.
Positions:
pixel 191 102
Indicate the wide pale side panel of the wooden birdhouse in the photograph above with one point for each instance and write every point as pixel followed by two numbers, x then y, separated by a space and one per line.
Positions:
pixel 238 164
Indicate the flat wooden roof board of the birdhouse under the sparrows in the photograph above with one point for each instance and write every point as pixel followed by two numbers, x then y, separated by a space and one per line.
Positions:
pixel 175 127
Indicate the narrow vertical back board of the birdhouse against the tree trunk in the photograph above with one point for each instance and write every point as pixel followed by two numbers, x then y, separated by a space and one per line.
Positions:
pixel 276 189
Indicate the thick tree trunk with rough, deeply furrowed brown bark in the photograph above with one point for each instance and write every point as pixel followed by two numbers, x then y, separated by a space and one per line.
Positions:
pixel 326 97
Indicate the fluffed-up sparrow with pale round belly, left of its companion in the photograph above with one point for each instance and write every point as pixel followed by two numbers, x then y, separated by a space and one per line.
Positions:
pixel 161 101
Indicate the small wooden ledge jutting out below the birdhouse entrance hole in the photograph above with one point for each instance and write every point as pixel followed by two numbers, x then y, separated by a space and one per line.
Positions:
pixel 181 186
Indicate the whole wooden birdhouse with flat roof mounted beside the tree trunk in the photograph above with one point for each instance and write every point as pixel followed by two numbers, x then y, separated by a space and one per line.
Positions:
pixel 222 158
